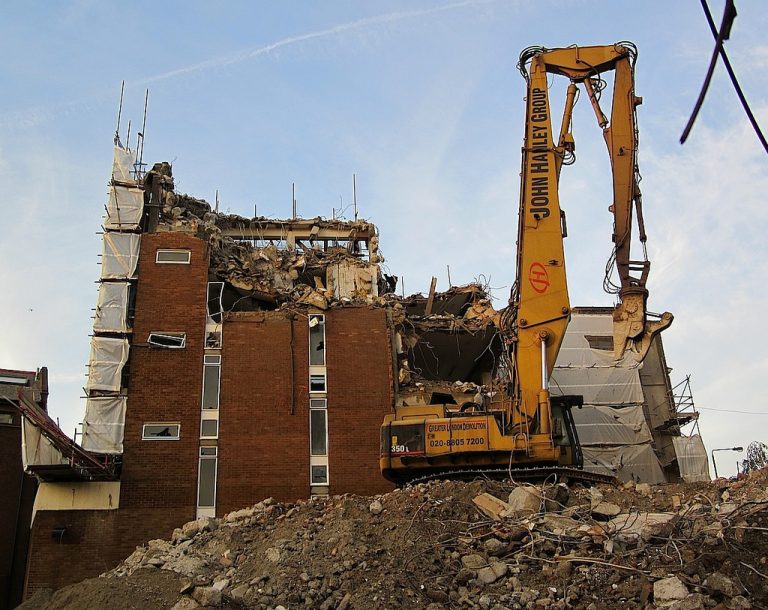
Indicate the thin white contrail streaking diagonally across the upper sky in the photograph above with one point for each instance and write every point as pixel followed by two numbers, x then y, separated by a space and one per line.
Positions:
pixel 34 116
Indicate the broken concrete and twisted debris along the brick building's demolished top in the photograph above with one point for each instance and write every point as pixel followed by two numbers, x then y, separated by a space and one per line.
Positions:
pixel 447 344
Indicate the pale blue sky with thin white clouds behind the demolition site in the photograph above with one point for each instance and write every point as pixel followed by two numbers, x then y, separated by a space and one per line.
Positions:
pixel 423 102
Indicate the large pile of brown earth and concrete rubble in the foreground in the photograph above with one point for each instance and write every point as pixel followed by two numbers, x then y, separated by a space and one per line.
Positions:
pixel 442 544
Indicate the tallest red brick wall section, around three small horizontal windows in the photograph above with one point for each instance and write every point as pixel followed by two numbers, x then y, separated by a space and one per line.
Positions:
pixel 166 384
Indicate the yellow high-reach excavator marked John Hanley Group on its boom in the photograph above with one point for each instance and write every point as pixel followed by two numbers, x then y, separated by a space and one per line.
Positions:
pixel 529 433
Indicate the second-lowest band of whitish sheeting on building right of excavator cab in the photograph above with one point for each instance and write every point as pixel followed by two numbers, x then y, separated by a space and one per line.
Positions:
pixel 600 425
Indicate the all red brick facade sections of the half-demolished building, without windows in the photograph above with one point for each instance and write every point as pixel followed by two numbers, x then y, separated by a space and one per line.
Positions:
pixel 263 443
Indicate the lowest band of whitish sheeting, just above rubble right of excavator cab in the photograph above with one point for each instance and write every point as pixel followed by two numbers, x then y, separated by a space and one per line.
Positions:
pixel 628 463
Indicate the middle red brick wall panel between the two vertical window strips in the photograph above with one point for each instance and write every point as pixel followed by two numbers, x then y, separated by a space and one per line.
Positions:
pixel 263 446
